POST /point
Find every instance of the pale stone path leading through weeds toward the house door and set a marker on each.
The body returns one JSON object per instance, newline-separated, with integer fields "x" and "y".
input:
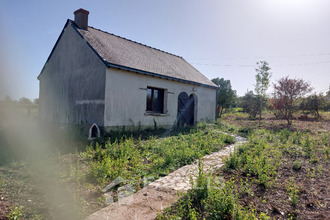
{"x": 160, "y": 194}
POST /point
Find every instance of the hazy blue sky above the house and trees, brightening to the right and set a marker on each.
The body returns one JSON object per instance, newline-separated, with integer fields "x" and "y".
{"x": 221, "y": 38}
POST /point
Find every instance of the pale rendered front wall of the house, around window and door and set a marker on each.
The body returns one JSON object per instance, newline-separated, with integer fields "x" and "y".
{"x": 126, "y": 98}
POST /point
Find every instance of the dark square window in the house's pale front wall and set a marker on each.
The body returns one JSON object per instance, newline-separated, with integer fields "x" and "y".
{"x": 155, "y": 100}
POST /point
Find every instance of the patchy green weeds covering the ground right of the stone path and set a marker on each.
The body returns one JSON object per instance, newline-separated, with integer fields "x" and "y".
{"x": 254, "y": 168}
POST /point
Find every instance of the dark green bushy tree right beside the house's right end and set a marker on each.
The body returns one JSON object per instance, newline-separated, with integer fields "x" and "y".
{"x": 226, "y": 95}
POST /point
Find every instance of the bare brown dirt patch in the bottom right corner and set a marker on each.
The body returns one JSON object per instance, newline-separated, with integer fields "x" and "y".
{"x": 314, "y": 193}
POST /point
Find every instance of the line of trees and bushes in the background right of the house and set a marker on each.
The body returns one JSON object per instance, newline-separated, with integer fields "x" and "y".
{"x": 289, "y": 97}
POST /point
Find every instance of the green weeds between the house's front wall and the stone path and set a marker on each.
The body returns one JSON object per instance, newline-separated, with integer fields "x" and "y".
{"x": 133, "y": 159}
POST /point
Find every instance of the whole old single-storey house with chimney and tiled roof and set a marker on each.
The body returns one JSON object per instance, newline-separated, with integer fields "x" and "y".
{"x": 94, "y": 77}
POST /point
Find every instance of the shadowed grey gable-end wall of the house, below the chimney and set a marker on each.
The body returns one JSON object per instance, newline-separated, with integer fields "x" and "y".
{"x": 72, "y": 83}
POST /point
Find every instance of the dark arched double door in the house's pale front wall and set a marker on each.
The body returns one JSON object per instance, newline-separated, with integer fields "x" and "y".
{"x": 186, "y": 109}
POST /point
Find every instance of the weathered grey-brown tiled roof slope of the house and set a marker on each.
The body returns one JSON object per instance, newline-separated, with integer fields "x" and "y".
{"x": 122, "y": 52}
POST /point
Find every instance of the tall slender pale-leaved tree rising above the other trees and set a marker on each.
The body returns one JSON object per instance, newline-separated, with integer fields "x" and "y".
{"x": 262, "y": 84}
